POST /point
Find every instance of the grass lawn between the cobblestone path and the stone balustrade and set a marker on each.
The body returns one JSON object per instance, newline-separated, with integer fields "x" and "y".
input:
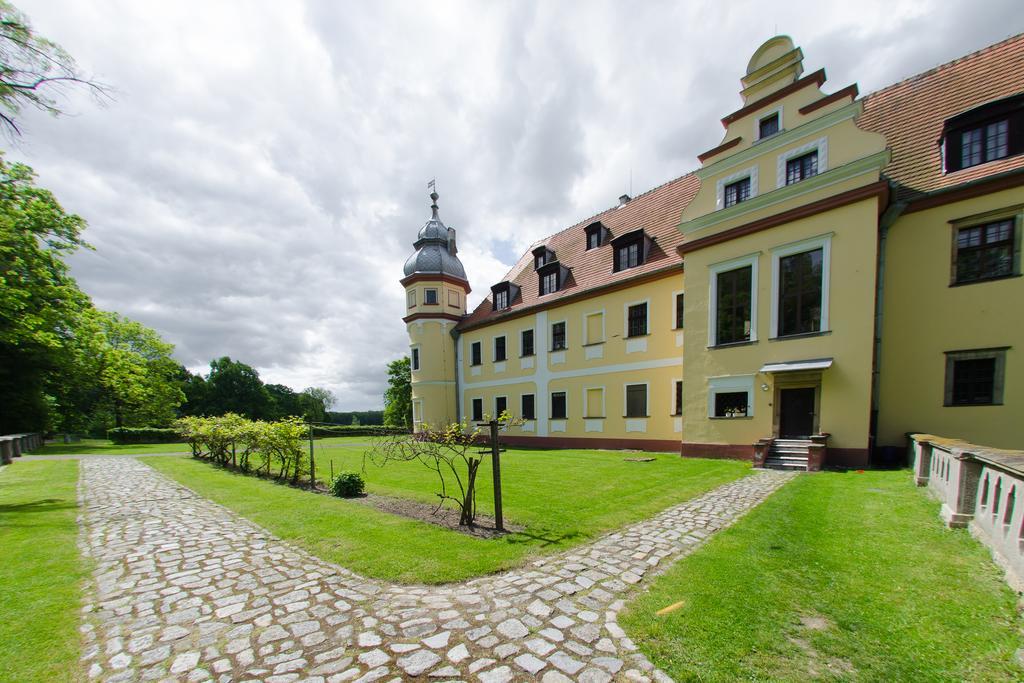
{"x": 887, "y": 592}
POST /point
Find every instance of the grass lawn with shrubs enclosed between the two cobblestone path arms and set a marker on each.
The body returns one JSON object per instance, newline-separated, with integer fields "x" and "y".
{"x": 563, "y": 498}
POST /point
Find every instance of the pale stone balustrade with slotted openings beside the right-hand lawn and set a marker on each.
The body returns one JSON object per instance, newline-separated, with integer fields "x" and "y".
{"x": 982, "y": 489}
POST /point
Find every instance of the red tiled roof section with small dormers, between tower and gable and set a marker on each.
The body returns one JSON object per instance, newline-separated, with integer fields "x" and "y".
{"x": 657, "y": 212}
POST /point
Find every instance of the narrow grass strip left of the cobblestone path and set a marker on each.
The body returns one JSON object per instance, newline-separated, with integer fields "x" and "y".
{"x": 40, "y": 572}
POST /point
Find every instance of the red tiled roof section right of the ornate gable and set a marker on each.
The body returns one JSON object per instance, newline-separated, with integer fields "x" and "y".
{"x": 911, "y": 115}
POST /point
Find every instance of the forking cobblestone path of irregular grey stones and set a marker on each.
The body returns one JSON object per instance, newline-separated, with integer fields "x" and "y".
{"x": 186, "y": 590}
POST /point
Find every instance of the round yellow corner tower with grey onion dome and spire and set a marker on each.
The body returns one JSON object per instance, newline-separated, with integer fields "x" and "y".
{"x": 436, "y": 302}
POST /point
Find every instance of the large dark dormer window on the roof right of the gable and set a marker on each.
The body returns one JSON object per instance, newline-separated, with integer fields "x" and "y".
{"x": 988, "y": 134}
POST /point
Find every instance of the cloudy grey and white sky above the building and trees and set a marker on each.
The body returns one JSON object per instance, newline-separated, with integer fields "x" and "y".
{"x": 257, "y": 185}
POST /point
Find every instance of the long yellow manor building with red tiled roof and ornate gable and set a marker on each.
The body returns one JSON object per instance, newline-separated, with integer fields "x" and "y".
{"x": 852, "y": 273}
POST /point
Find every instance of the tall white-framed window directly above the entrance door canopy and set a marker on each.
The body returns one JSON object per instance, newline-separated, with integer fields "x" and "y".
{"x": 800, "y": 278}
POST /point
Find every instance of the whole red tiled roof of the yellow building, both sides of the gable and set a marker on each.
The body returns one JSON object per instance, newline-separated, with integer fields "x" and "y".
{"x": 911, "y": 114}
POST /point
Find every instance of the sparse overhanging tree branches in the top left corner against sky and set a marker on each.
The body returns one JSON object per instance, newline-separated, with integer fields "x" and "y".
{"x": 33, "y": 70}
